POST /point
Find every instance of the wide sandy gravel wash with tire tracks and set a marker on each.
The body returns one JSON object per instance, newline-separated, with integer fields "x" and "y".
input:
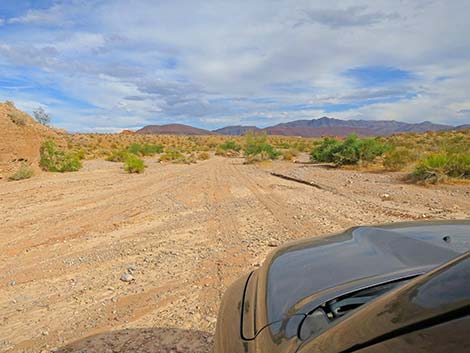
{"x": 182, "y": 232}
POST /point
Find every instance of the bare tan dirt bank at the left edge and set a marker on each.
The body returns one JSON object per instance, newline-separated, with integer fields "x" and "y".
{"x": 20, "y": 139}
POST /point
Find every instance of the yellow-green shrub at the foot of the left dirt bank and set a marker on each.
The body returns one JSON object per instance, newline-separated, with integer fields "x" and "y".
{"x": 54, "y": 159}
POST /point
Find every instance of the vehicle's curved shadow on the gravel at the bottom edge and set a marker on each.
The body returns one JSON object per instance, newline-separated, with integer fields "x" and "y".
{"x": 145, "y": 340}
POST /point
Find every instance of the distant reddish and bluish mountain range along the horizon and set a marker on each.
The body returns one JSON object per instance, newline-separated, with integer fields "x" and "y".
{"x": 309, "y": 128}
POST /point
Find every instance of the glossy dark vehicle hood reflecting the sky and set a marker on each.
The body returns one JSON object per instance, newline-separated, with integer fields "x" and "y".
{"x": 297, "y": 277}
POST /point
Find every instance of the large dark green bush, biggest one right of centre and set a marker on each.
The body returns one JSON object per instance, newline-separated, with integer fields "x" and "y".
{"x": 350, "y": 151}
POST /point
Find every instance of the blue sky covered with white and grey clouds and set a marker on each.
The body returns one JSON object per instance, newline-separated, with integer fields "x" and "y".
{"x": 106, "y": 65}
